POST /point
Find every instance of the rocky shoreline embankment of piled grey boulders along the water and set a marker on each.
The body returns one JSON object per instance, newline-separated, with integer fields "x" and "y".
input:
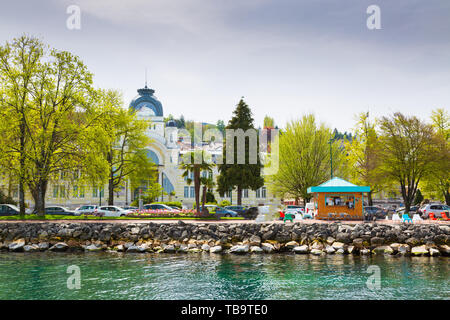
{"x": 234, "y": 238}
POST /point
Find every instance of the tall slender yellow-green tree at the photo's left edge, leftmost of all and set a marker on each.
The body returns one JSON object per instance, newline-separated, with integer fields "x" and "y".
{"x": 20, "y": 61}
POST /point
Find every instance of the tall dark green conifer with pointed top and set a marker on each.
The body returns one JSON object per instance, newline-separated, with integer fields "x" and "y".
{"x": 233, "y": 174}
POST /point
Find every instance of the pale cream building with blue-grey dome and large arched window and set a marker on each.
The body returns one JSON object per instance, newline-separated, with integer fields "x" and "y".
{"x": 168, "y": 144}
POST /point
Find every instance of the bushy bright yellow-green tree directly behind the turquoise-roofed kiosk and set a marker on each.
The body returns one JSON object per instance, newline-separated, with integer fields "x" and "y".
{"x": 304, "y": 158}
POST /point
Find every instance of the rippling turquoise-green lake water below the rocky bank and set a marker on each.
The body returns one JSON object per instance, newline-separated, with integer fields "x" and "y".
{"x": 205, "y": 276}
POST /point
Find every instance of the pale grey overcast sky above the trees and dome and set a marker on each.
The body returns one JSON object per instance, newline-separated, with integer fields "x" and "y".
{"x": 286, "y": 57}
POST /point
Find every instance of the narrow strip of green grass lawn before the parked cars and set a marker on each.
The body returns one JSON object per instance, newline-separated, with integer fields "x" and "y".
{"x": 31, "y": 217}
